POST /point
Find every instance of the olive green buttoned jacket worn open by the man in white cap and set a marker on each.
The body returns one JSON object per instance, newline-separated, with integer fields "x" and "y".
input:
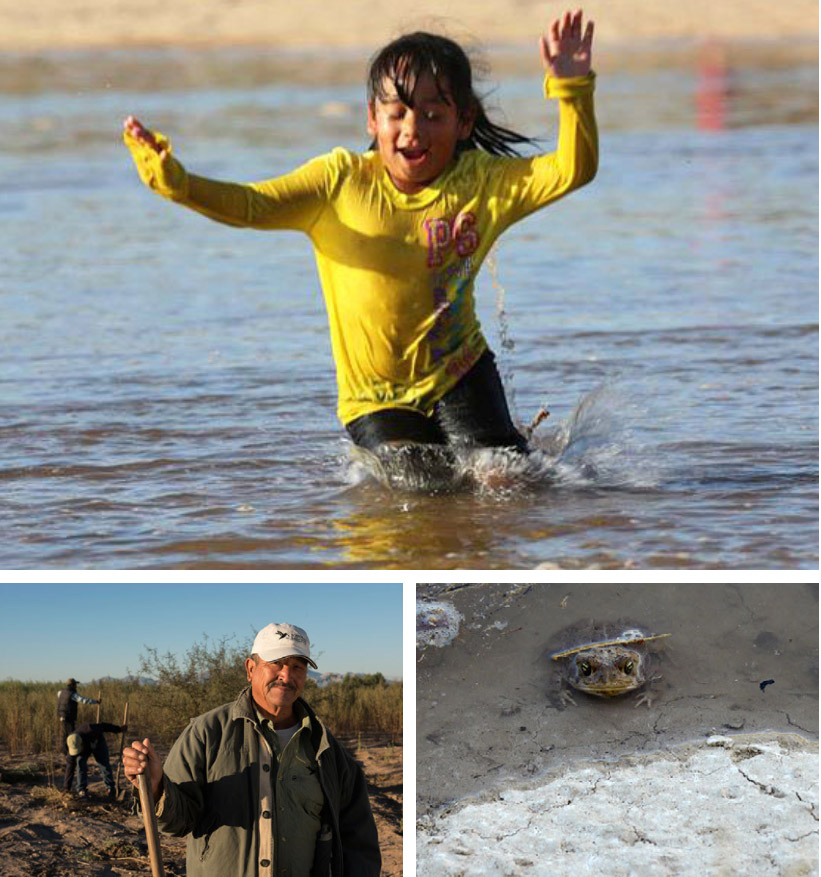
{"x": 211, "y": 792}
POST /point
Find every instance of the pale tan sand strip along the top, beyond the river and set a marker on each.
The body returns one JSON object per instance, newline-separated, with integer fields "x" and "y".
{"x": 368, "y": 23}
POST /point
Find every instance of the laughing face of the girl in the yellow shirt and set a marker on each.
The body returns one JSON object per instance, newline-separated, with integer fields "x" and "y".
{"x": 416, "y": 143}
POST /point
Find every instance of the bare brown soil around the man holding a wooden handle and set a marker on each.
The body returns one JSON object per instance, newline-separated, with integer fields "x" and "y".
{"x": 45, "y": 834}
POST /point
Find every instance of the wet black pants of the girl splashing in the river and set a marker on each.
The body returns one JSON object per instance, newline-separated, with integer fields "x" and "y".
{"x": 473, "y": 414}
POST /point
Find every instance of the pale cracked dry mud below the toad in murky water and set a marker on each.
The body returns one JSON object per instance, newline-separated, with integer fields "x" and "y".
{"x": 742, "y": 805}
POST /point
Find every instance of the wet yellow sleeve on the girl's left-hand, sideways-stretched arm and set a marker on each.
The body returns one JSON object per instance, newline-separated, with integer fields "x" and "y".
{"x": 292, "y": 201}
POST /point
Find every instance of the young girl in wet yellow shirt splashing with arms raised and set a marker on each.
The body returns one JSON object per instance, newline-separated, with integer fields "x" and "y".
{"x": 401, "y": 230}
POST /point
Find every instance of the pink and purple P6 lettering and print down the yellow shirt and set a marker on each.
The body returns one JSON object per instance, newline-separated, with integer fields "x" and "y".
{"x": 450, "y": 284}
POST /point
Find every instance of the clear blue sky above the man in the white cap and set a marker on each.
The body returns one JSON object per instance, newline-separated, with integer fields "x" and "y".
{"x": 53, "y": 631}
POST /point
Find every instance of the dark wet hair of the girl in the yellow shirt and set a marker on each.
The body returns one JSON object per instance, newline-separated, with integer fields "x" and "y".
{"x": 407, "y": 58}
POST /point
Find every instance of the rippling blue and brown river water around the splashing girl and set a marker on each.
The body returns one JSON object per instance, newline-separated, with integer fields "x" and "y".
{"x": 166, "y": 386}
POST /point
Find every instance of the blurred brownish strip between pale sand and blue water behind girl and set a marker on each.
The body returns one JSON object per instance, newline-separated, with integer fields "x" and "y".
{"x": 191, "y": 66}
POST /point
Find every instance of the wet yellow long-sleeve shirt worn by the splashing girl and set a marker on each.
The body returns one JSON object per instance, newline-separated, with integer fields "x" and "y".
{"x": 397, "y": 270}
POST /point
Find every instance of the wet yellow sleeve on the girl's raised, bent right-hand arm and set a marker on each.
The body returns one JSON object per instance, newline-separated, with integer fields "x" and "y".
{"x": 527, "y": 184}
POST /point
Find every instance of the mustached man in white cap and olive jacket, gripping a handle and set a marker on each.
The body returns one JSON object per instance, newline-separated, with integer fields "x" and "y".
{"x": 260, "y": 786}
